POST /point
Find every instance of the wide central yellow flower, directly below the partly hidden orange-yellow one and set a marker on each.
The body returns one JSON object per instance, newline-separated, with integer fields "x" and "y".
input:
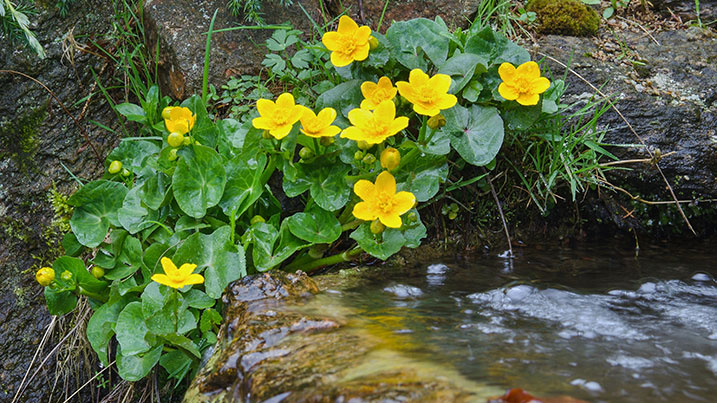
{"x": 374, "y": 127}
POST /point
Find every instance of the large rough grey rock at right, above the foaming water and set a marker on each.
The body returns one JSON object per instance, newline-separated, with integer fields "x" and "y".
{"x": 676, "y": 111}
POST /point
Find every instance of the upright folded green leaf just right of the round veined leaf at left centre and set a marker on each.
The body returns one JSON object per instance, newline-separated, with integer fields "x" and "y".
{"x": 243, "y": 183}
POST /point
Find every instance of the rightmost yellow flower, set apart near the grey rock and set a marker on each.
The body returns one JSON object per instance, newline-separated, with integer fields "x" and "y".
{"x": 523, "y": 84}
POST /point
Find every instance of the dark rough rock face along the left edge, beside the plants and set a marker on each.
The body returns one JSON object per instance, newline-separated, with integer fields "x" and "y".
{"x": 36, "y": 139}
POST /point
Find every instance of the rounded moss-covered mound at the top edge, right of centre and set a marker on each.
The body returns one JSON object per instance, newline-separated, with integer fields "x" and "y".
{"x": 564, "y": 17}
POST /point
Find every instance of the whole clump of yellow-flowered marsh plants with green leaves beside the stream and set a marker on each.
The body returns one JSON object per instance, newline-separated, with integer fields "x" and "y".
{"x": 368, "y": 128}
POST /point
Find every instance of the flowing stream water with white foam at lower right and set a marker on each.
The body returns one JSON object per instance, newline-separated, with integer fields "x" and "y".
{"x": 599, "y": 324}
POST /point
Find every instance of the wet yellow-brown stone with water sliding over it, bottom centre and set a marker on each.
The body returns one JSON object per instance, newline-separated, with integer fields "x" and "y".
{"x": 281, "y": 341}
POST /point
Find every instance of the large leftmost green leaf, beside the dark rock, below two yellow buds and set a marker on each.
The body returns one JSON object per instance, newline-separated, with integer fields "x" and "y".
{"x": 96, "y": 205}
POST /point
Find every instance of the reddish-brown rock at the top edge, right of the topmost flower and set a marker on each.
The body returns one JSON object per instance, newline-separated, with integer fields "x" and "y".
{"x": 456, "y": 13}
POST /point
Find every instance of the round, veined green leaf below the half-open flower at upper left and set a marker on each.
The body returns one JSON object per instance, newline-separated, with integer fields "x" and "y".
{"x": 199, "y": 180}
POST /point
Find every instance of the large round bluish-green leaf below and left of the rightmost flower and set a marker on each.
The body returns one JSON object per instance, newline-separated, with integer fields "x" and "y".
{"x": 476, "y": 133}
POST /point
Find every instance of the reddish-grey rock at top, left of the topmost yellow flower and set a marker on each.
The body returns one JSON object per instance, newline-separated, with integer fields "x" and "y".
{"x": 179, "y": 27}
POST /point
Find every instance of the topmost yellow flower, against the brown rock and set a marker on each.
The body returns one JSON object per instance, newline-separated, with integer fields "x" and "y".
{"x": 348, "y": 43}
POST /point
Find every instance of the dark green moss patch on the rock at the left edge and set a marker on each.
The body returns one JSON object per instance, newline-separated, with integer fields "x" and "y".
{"x": 18, "y": 138}
